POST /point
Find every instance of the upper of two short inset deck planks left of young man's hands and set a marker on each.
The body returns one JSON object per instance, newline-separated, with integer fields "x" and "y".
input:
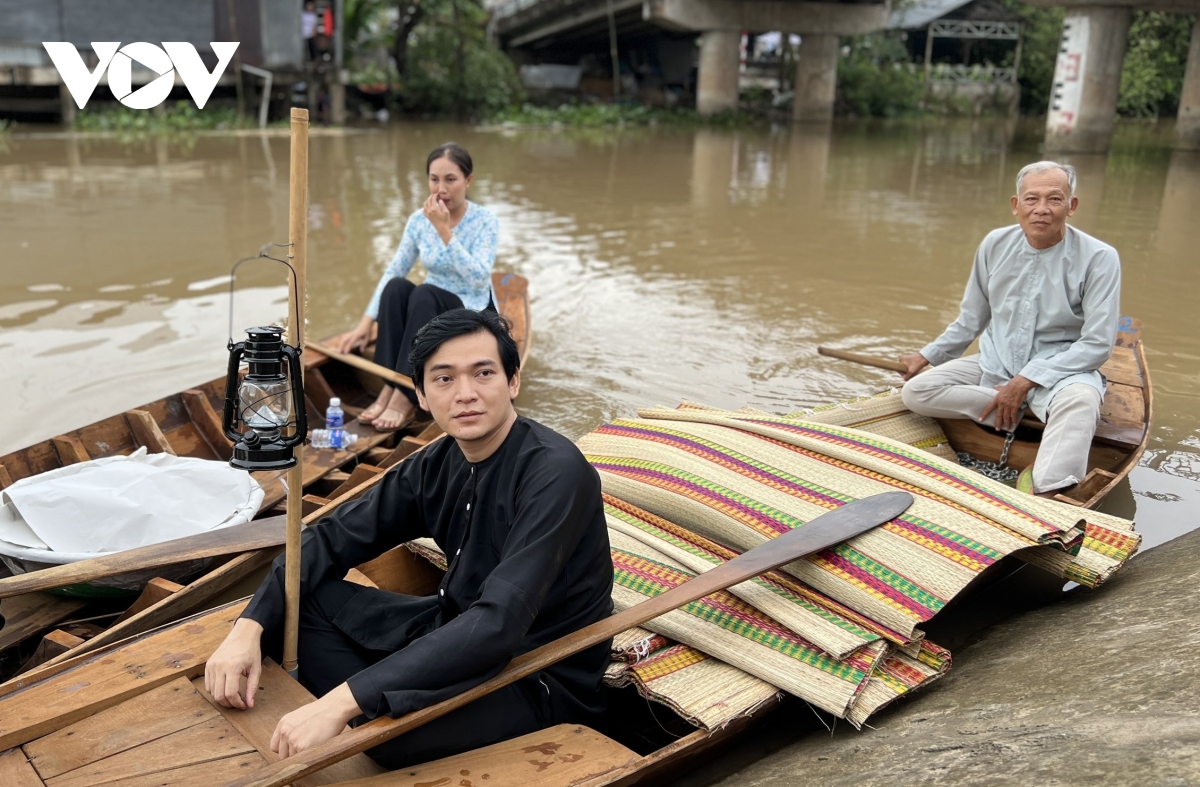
{"x": 158, "y": 713}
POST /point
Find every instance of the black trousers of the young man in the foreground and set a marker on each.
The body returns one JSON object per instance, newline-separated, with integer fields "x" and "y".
{"x": 328, "y": 657}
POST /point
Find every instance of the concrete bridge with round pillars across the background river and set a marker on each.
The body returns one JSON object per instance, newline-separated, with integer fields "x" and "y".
{"x": 1088, "y": 76}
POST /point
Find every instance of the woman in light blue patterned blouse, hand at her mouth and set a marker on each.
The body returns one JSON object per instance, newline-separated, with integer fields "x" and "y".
{"x": 455, "y": 239}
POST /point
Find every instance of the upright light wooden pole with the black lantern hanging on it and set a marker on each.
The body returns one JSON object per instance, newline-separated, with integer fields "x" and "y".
{"x": 298, "y": 237}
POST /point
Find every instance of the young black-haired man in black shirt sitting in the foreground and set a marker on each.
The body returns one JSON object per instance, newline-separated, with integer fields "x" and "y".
{"x": 518, "y": 512}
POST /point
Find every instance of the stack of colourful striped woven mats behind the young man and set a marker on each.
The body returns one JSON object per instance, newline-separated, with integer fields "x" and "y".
{"x": 688, "y": 489}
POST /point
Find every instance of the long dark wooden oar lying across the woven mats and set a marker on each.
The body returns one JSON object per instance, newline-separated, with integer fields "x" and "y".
{"x": 819, "y": 534}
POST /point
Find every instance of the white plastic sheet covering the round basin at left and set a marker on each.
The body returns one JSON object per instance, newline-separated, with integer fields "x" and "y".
{"x": 121, "y": 503}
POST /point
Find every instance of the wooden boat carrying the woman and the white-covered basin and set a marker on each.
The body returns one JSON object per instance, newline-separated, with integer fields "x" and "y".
{"x": 188, "y": 424}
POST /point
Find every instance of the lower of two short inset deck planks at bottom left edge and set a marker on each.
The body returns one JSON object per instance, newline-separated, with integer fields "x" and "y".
{"x": 207, "y": 742}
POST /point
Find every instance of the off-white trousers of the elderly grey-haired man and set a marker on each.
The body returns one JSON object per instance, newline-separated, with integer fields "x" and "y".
{"x": 953, "y": 391}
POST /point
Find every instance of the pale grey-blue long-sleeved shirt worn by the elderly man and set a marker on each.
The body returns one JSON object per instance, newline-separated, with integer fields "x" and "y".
{"x": 1047, "y": 315}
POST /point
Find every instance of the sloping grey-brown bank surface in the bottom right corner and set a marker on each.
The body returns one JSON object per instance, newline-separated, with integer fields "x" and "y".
{"x": 1097, "y": 689}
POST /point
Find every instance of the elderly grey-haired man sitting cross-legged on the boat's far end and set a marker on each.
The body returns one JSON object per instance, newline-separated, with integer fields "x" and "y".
{"x": 1046, "y": 297}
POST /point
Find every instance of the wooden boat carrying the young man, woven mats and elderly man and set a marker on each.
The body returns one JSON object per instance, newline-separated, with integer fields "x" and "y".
{"x": 135, "y": 713}
